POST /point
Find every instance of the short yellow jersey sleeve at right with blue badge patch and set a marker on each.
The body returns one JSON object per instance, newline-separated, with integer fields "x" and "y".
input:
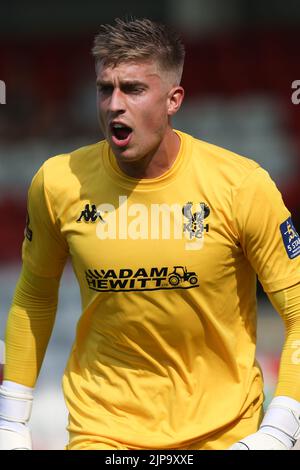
{"x": 265, "y": 231}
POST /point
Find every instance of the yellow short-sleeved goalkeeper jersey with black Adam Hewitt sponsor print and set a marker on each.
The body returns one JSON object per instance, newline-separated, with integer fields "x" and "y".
{"x": 164, "y": 352}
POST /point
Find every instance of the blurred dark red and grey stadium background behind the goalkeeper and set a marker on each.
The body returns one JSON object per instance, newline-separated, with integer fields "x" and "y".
{"x": 242, "y": 57}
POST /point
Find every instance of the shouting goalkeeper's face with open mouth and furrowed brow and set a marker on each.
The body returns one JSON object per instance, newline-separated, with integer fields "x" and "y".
{"x": 135, "y": 101}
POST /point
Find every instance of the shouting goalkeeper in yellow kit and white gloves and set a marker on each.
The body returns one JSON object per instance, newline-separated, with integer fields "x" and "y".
{"x": 164, "y": 354}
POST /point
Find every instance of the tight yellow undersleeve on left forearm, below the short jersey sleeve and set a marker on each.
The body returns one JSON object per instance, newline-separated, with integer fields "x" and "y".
{"x": 29, "y": 326}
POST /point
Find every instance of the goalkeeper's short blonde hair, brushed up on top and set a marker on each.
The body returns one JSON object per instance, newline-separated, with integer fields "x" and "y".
{"x": 140, "y": 39}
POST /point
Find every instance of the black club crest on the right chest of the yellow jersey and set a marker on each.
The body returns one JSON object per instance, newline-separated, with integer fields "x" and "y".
{"x": 195, "y": 225}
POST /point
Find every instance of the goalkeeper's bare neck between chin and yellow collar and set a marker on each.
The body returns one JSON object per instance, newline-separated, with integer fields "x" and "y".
{"x": 156, "y": 163}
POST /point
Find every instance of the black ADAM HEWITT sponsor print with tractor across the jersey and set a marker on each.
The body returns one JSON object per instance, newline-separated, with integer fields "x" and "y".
{"x": 155, "y": 278}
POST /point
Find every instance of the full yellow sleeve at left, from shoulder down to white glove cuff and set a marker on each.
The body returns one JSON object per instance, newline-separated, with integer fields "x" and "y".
{"x": 31, "y": 317}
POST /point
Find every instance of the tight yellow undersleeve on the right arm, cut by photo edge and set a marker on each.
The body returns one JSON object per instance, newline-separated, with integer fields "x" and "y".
{"x": 287, "y": 303}
